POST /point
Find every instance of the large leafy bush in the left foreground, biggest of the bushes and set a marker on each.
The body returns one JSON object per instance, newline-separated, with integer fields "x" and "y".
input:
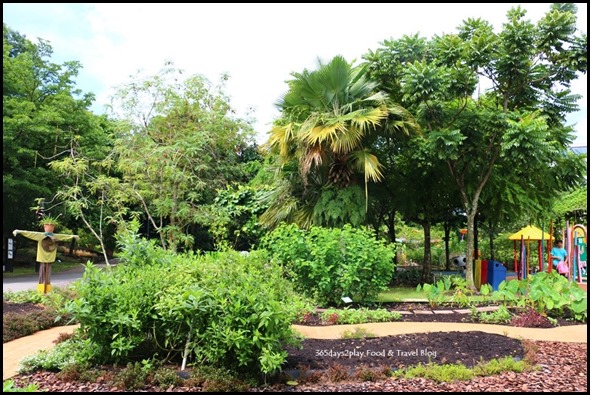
{"x": 225, "y": 308}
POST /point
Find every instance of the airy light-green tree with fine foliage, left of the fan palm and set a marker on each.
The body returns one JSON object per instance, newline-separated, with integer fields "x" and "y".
{"x": 179, "y": 142}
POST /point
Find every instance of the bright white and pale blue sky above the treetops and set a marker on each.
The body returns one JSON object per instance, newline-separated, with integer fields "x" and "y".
{"x": 258, "y": 45}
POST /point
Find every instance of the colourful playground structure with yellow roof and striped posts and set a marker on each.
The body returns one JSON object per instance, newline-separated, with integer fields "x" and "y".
{"x": 575, "y": 243}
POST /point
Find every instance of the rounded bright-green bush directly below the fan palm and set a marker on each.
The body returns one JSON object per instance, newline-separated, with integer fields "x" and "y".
{"x": 329, "y": 264}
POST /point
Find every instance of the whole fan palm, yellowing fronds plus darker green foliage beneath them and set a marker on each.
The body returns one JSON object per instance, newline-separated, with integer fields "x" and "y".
{"x": 329, "y": 118}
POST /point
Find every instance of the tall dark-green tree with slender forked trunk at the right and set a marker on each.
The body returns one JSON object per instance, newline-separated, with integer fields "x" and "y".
{"x": 517, "y": 127}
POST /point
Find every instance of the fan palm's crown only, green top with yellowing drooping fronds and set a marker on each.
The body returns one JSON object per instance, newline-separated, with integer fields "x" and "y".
{"x": 330, "y": 117}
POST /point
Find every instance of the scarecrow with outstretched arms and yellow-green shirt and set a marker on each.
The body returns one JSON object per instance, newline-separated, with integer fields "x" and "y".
{"x": 46, "y": 252}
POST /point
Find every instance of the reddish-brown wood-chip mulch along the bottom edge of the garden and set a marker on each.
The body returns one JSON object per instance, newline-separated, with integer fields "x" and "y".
{"x": 561, "y": 367}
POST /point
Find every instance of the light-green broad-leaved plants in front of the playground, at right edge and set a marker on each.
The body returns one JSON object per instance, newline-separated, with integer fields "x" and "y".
{"x": 546, "y": 293}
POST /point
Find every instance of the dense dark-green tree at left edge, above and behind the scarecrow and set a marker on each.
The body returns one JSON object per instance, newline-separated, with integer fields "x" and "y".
{"x": 42, "y": 113}
